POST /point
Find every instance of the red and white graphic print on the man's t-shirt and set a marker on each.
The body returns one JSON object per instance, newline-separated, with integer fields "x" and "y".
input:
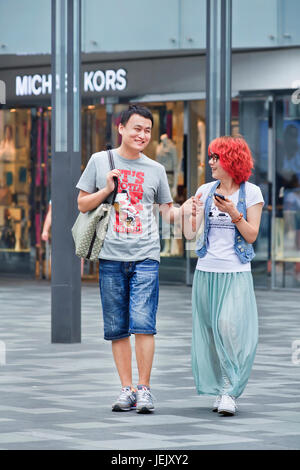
{"x": 128, "y": 202}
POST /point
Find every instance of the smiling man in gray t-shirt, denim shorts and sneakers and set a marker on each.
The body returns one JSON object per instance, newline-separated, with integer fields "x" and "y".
{"x": 129, "y": 258}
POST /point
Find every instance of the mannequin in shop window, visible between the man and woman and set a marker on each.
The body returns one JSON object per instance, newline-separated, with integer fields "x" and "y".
{"x": 166, "y": 154}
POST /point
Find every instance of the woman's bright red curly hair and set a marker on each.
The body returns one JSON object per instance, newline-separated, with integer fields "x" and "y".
{"x": 235, "y": 157}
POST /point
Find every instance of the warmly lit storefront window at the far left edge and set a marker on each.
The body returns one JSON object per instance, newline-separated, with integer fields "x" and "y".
{"x": 15, "y": 128}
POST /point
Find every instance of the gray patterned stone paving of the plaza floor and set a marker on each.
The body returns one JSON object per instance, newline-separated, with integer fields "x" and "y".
{"x": 59, "y": 396}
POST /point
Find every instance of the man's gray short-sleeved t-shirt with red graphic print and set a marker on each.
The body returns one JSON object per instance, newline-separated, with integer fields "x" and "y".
{"x": 132, "y": 233}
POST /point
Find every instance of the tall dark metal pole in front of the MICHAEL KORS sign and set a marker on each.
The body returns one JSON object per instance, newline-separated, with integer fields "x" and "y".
{"x": 66, "y": 166}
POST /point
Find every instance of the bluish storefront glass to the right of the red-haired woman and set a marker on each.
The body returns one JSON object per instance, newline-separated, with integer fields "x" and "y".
{"x": 271, "y": 126}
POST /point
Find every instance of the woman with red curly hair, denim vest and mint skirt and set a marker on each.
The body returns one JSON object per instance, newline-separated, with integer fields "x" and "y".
{"x": 225, "y": 326}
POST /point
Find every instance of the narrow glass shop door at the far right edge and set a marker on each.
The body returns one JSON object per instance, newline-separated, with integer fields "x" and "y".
{"x": 286, "y": 248}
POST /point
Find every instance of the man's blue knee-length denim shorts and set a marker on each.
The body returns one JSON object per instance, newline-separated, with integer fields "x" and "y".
{"x": 129, "y": 297}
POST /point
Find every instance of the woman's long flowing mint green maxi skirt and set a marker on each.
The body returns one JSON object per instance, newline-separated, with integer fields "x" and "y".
{"x": 225, "y": 331}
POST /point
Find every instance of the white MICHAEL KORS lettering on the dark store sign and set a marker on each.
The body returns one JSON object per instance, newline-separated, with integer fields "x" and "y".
{"x": 94, "y": 81}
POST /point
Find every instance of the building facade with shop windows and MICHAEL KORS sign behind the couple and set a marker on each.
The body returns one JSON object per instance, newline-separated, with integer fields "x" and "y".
{"x": 165, "y": 70}
